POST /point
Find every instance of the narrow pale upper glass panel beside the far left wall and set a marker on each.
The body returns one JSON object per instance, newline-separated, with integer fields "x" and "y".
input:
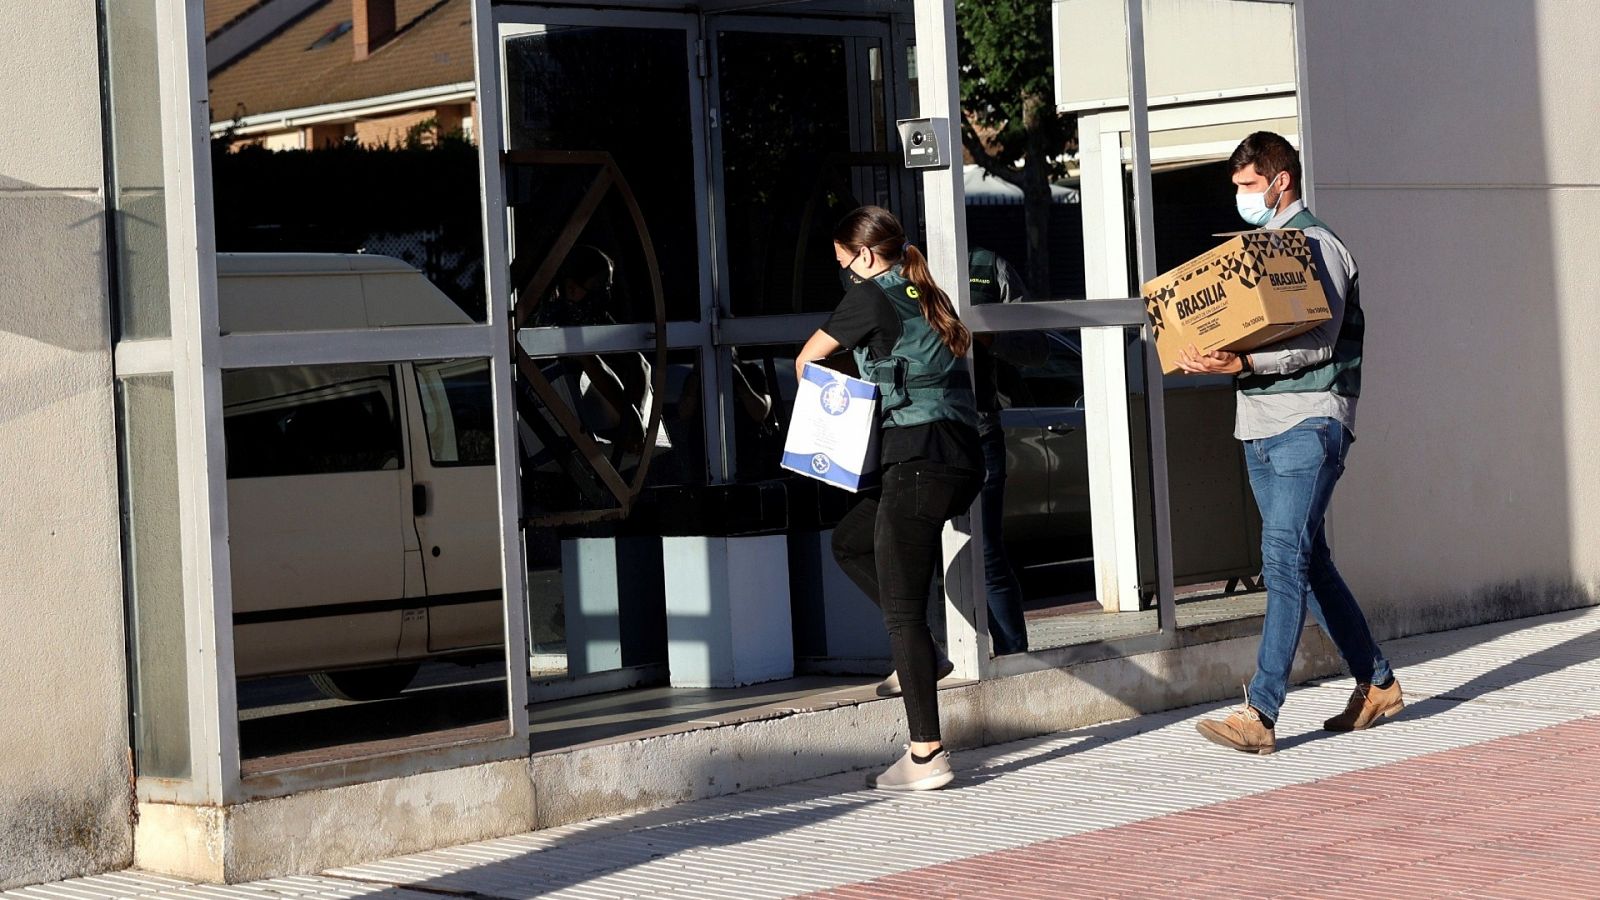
{"x": 138, "y": 198}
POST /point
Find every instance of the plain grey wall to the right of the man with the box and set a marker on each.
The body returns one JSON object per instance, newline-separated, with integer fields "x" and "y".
{"x": 1455, "y": 151}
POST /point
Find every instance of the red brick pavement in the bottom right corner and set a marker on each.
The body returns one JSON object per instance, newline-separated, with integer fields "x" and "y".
{"x": 1506, "y": 819}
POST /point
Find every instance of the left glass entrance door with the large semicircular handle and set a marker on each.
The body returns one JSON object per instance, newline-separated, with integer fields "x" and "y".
{"x": 610, "y": 287}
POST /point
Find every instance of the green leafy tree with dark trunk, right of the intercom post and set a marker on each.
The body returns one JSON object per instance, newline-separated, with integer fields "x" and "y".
{"x": 1009, "y": 110}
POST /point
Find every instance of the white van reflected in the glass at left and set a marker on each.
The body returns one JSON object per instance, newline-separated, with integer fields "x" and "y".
{"x": 364, "y": 518}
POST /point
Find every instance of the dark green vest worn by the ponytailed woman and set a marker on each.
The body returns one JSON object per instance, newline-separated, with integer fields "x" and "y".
{"x": 921, "y": 380}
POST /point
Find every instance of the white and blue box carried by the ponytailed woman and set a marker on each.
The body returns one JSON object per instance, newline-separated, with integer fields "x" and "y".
{"x": 834, "y": 430}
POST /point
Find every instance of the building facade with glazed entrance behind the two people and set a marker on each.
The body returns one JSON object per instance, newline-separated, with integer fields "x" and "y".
{"x": 511, "y": 499}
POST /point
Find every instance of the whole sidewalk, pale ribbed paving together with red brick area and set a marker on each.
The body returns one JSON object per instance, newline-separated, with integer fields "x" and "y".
{"x": 1489, "y": 785}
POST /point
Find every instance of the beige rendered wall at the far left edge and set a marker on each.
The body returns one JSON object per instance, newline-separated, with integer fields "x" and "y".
{"x": 65, "y": 798}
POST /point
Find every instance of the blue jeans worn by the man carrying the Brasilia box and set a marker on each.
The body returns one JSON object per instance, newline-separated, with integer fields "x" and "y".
{"x": 1294, "y": 478}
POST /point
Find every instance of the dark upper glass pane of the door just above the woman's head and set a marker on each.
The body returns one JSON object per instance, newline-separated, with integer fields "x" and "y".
{"x": 785, "y": 115}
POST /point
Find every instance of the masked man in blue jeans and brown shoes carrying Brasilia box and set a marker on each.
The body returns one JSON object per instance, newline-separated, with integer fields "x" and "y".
{"x": 1297, "y": 412}
